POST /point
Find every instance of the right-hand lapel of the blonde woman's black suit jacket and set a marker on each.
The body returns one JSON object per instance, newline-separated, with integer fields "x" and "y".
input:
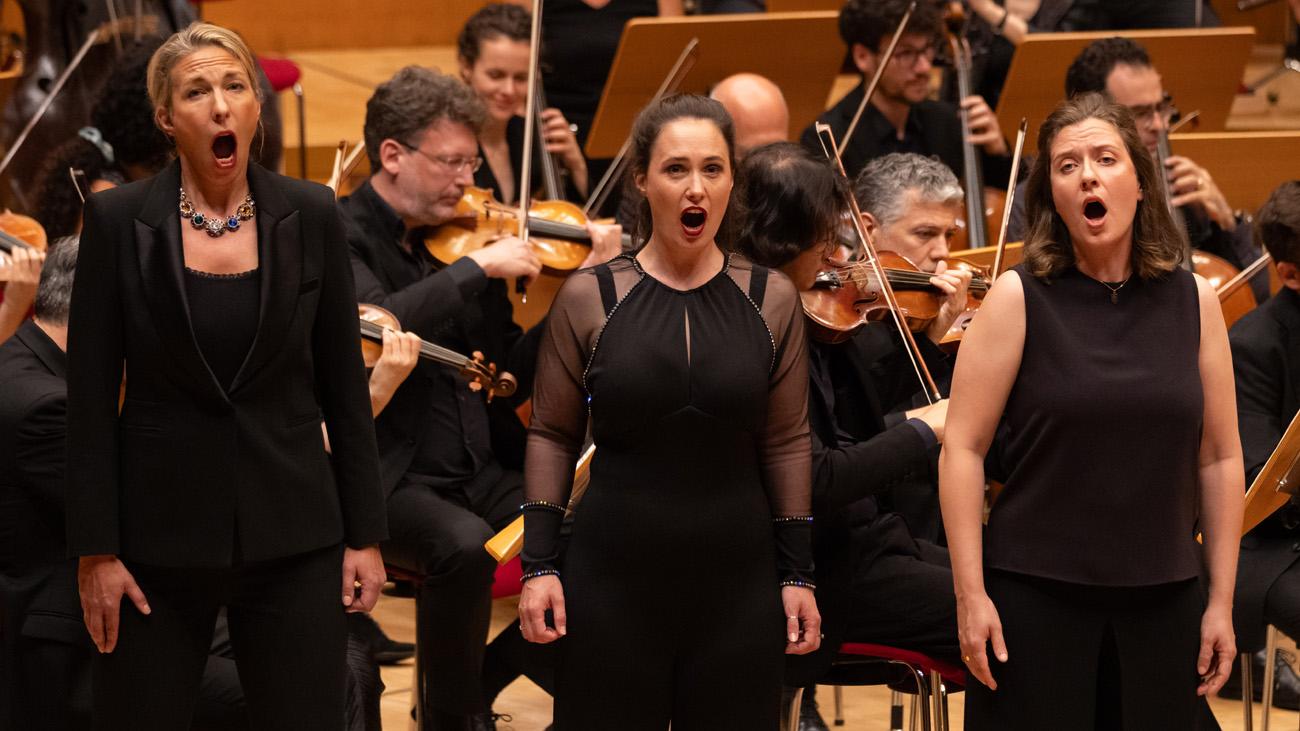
{"x": 280, "y": 256}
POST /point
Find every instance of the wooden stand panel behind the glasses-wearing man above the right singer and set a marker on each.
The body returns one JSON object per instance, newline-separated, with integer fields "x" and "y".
{"x": 1202, "y": 70}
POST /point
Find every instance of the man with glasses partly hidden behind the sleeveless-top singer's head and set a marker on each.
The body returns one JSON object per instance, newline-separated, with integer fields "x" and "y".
{"x": 1123, "y": 68}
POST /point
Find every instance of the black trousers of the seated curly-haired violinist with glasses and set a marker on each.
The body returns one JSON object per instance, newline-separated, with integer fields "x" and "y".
{"x": 440, "y": 533}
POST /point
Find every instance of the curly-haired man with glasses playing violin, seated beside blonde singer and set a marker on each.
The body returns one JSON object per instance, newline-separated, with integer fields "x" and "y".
{"x": 450, "y": 462}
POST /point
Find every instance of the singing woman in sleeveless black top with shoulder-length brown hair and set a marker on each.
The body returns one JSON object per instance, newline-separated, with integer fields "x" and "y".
{"x": 1110, "y": 367}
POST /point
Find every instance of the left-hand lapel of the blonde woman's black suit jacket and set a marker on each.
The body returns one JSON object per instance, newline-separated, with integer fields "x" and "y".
{"x": 162, "y": 258}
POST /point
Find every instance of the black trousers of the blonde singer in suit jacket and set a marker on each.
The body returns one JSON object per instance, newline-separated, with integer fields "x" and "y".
{"x": 288, "y": 630}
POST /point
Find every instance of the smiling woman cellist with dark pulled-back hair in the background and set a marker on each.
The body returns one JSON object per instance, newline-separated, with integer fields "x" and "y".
{"x": 493, "y": 50}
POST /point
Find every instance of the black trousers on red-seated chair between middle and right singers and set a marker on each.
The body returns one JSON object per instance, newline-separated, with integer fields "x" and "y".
{"x": 903, "y": 591}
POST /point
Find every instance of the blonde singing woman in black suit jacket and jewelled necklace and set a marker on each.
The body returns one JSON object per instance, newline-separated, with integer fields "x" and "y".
{"x": 213, "y": 487}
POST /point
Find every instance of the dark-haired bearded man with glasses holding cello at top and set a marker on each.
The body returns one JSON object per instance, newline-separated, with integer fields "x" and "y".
{"x": 902, "y": 118}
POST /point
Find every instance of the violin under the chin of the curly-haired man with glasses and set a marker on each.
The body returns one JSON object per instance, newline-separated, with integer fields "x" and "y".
{"x": 562, "y": 245}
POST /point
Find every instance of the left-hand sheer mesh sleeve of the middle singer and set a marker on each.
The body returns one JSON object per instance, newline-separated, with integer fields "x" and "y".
{"x": 558, "y": 425}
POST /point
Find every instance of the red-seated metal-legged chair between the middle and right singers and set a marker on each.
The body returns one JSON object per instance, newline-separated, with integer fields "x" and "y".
{"x": 860, "y": 664}
